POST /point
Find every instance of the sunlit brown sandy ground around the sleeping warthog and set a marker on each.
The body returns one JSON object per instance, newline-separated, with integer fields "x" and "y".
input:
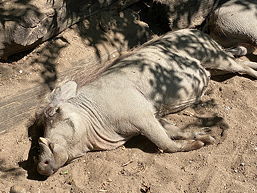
{"x": 229, "y": 109}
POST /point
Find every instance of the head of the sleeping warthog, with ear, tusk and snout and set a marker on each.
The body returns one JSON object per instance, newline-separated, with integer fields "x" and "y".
{"x": 58, "y": 126}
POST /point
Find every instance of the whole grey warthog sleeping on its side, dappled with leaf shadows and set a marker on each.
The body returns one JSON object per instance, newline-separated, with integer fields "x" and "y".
{"x": 131, "y": 98}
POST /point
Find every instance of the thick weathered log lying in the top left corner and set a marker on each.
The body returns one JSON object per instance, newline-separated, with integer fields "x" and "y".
{"x": 24, "y": 25}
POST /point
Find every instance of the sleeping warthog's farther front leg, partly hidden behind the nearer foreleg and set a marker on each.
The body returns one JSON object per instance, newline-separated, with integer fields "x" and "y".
{"x": 175, "y": 133}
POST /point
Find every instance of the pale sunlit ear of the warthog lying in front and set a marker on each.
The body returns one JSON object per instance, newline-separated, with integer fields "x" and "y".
{"x": 64, "y": 92}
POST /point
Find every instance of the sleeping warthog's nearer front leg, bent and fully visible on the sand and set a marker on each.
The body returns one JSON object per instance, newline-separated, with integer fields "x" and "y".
{"x": 150, "y": 127}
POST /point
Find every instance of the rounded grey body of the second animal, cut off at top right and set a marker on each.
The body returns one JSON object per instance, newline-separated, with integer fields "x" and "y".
{"x": 234, "y": 26}
